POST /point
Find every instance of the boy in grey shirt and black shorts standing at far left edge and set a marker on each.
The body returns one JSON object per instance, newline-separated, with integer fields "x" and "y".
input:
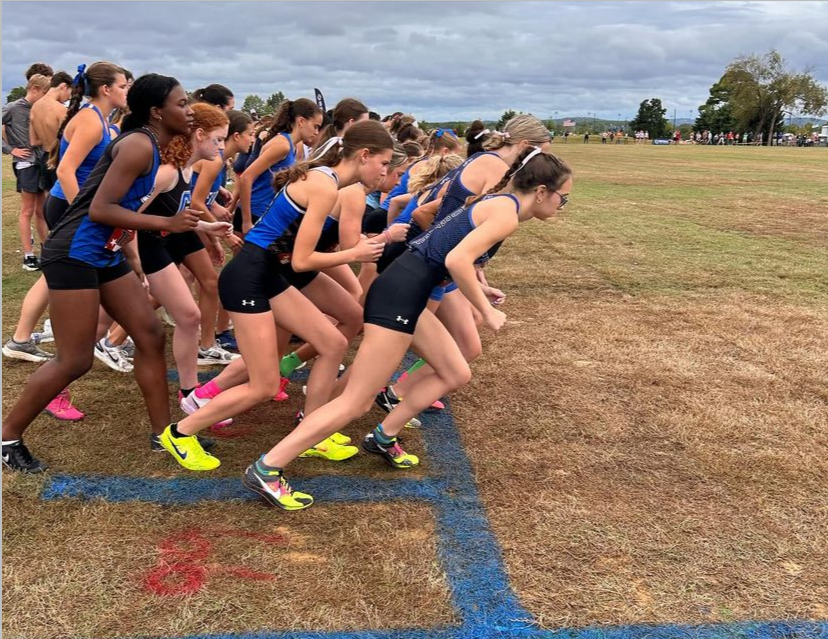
{"x": 26, "y": 169}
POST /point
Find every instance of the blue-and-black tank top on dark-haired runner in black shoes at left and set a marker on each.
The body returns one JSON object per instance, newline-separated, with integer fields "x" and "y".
{"x": 77, "y": 237}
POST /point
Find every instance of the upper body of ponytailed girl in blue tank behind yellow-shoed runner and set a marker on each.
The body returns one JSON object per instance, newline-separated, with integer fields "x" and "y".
{"x": 295, "y": 121}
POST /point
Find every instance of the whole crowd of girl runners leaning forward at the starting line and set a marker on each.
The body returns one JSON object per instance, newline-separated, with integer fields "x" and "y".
{"x": 140, "y": 217}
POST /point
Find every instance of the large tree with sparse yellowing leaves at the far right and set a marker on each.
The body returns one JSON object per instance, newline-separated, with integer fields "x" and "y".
{"x": 762, "y": 90}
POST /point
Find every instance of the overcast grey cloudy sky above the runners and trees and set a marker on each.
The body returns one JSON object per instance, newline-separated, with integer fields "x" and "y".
{"x": 437, "y": 60}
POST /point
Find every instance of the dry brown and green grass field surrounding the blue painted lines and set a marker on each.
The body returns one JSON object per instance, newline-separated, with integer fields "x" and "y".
{"x": 649, "y": 432}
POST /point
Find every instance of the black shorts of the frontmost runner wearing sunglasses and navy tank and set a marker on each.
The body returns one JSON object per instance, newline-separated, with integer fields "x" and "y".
{"x": 398, "y": 297}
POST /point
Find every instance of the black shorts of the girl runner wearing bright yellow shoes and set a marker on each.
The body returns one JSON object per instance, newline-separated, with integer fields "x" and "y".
{"x": 250, "y": 280}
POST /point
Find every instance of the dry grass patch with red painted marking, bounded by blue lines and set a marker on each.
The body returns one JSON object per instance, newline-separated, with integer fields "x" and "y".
{"x": 85, "y": 569}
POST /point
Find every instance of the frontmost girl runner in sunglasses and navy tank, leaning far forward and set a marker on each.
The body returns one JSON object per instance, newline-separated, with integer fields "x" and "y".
{"x": 536, "y": 186}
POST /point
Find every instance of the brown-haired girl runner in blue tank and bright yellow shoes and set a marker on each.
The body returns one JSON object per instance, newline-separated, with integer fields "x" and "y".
{"x": 257, "y": 295}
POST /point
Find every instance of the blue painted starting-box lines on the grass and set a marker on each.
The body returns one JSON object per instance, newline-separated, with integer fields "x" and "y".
{"x": 470, "y": 555}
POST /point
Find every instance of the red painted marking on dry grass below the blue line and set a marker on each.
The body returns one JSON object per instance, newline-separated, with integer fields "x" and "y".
{"x": 181, "y": 569}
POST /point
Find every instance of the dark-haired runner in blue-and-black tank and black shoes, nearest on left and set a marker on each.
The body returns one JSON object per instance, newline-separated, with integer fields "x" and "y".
{"x": 84, "y": 265}
